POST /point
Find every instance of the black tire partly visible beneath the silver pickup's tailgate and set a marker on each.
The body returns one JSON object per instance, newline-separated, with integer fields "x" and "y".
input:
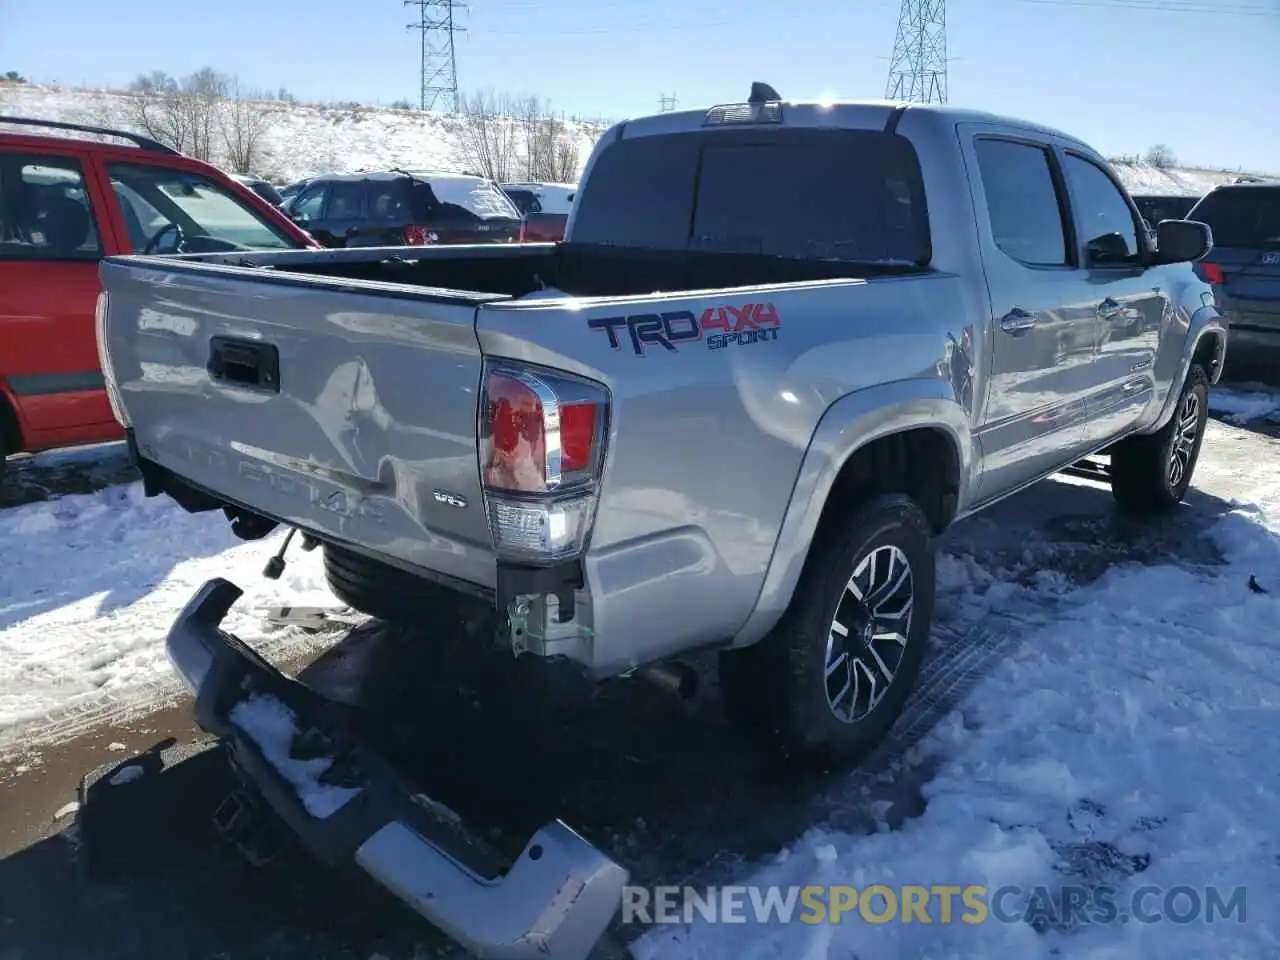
{"x": 391, "y": 595}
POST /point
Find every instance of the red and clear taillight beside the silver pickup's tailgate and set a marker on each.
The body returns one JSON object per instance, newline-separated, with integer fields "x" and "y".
{"x": 542, "y": 447}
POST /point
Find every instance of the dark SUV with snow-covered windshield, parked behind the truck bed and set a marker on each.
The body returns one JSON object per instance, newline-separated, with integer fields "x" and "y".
{"x": 403, "y": 208}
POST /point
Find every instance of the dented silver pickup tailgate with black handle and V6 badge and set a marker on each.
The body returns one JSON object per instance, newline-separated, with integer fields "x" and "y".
{"x": 340, "y": 410}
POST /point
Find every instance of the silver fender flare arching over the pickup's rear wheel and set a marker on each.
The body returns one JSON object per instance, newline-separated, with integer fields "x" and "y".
{"x": 847, "y": 427}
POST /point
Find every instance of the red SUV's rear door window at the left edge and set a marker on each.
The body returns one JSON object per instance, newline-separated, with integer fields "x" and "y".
{"x": 44, "y": 211}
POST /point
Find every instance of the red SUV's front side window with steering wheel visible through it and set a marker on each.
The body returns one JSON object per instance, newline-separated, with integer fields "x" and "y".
{"x": 175, "y": 212}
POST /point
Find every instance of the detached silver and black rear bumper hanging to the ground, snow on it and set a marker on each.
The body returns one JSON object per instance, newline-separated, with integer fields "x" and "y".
{"x": 350, "y": 808}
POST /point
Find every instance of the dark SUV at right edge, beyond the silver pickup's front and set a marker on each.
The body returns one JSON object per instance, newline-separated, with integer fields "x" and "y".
{"x": 1245, "y": 266}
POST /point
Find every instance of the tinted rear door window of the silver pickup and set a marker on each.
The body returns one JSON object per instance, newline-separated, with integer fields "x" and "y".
{"x": 1023, "y": 203}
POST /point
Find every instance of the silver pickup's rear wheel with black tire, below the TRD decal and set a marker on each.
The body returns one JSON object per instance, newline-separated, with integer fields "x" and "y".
{"x": 780, "y": 688}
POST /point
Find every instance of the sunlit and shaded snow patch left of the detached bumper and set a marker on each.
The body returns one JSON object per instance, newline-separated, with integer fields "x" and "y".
{"x": 92, "y": 584}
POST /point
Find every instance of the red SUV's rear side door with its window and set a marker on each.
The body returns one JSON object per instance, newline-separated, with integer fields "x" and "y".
{"x": 53, "y": 234}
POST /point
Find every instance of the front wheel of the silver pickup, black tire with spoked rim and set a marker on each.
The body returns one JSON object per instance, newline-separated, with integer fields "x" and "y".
{"x": 1144, "y": 479}
